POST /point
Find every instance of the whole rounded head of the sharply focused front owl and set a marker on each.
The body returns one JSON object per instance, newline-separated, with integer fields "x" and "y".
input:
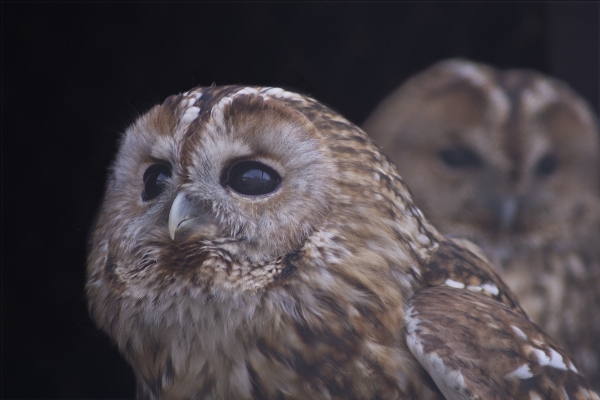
{"x": 213, "y": 192}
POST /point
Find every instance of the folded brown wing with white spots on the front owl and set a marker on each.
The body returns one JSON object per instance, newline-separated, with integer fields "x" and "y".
{"x": 478, "y": 344}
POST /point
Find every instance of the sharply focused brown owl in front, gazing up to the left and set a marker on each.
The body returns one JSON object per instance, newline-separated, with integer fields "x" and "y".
{"x": 254, "y": 244}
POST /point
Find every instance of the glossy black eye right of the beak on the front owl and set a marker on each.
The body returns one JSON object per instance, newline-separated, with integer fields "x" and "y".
{"x": 252, "y": 178}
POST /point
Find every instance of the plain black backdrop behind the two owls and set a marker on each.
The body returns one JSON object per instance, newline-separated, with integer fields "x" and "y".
{"x": 74, "y": 76}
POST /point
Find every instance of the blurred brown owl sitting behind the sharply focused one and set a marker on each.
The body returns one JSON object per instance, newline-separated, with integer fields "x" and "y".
{"x": 510, "y": 160}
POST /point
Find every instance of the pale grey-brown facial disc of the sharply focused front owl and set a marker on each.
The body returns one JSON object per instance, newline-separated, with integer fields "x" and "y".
{"x": 224, "y": 176}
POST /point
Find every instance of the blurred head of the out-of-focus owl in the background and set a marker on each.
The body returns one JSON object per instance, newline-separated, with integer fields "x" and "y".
{"x": 498, "y": 149}
